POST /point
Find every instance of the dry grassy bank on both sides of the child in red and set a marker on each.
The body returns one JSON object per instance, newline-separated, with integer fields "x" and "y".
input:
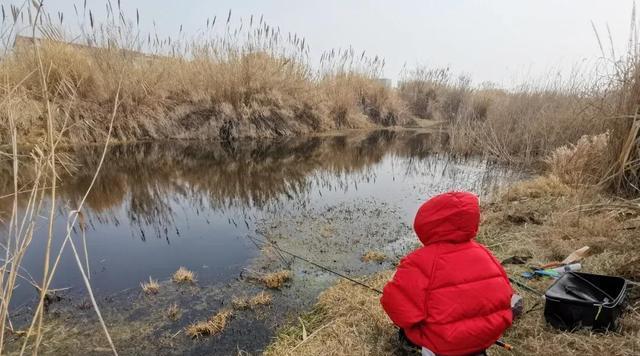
{"x": 348, "y": 319}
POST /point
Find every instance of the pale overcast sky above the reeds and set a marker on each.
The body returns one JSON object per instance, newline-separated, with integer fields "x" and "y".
{"x": 500, "y": 41}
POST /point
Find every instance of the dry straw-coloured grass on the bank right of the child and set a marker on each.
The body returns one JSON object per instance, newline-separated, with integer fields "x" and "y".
{"x": 567, "y": 220}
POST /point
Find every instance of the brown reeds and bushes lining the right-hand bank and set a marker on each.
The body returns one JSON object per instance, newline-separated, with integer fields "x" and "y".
{"x": 586, "y": 129}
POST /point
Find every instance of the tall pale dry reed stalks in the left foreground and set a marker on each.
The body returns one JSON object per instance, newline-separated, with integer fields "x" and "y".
{"x": 46, "y": 159}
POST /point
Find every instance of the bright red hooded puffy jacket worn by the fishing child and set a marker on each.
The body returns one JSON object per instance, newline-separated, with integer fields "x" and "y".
{"x": 451, "y": 295}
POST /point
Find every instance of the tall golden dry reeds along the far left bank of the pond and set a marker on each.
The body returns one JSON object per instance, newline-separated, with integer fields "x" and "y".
{"x": 249, "y": 80}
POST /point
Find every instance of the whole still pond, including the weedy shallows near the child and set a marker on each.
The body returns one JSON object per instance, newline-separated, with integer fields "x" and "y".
{"x": 158, "y": 206}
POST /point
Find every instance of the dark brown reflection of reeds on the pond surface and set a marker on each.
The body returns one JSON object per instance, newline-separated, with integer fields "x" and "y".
{"x": 150, "y": 180}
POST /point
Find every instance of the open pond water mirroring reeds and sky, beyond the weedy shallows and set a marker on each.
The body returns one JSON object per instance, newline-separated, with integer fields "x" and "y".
{"x": 156, "y": 206}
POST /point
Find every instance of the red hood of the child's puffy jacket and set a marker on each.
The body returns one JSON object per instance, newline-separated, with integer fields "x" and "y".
{"x": 450, "y": 217}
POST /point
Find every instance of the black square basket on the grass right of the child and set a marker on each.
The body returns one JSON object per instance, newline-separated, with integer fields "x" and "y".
{"x": 583, "y": 300}
